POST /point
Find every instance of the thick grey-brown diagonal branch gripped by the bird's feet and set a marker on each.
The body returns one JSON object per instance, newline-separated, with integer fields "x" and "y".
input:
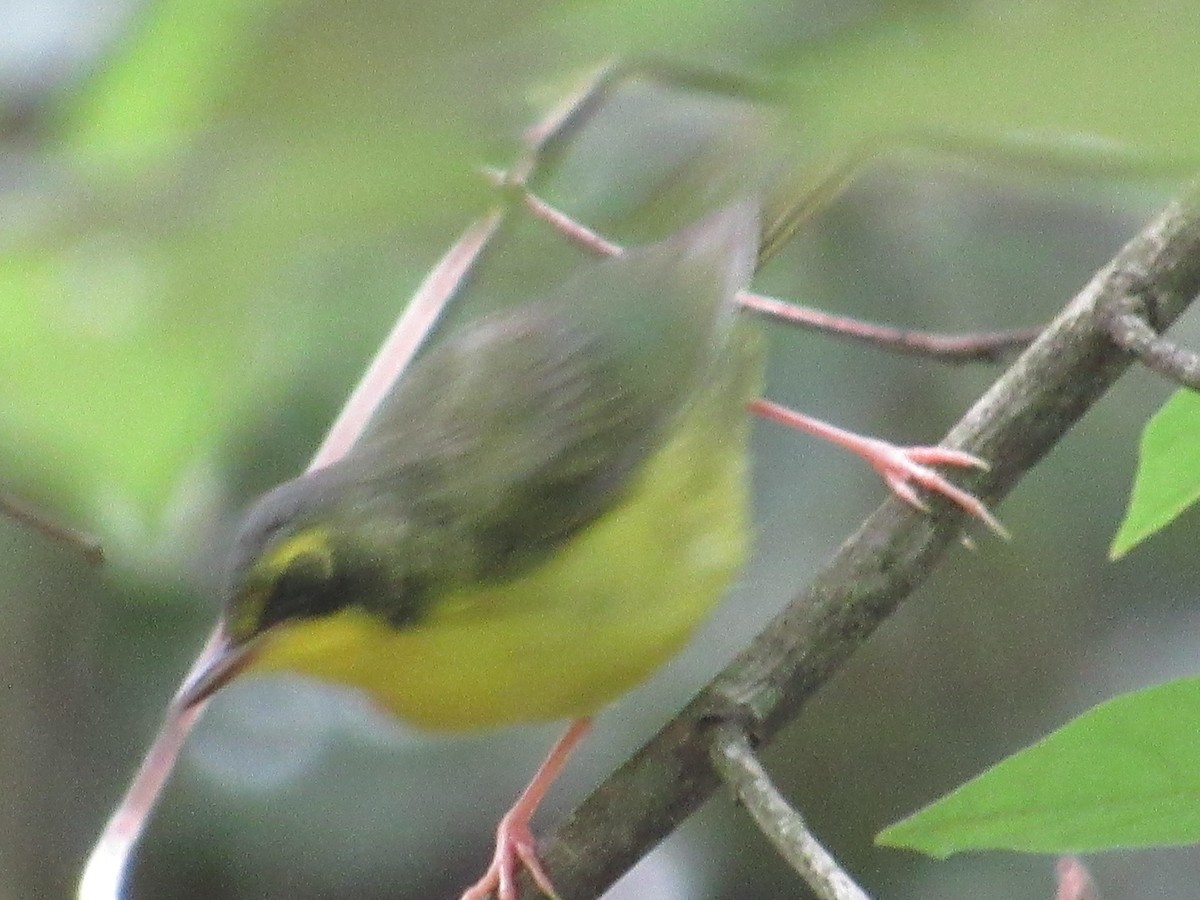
{"x": 1033, "y": 406}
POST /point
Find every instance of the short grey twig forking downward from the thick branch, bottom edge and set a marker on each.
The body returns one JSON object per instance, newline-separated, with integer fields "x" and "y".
{"x": 784, "y": 827}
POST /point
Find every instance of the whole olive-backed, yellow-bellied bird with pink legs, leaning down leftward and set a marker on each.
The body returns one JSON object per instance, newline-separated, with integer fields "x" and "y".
{"x": 544, "y": 509}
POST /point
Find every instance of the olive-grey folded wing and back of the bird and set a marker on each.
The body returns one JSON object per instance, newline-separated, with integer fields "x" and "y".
{"x": 526, "y": 427}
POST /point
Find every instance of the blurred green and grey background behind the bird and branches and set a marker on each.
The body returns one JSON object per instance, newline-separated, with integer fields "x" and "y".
{"x": 213, "y": 211}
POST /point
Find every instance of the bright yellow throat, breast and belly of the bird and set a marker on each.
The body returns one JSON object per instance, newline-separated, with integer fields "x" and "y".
{"x": 575, "y": 632}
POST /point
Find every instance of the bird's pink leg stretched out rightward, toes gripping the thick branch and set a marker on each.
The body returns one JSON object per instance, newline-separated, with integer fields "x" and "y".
{"x": 903, "y": 469}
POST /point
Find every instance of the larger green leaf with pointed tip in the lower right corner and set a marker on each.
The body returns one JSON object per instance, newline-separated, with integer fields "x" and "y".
{"x": 1125, "y": 775}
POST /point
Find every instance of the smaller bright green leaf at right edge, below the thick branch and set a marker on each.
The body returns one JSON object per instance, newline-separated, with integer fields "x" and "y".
{"x": 1168, "y": 481}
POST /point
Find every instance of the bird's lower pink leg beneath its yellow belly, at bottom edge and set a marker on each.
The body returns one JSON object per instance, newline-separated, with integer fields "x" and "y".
{"x": 515, "y": 845}
